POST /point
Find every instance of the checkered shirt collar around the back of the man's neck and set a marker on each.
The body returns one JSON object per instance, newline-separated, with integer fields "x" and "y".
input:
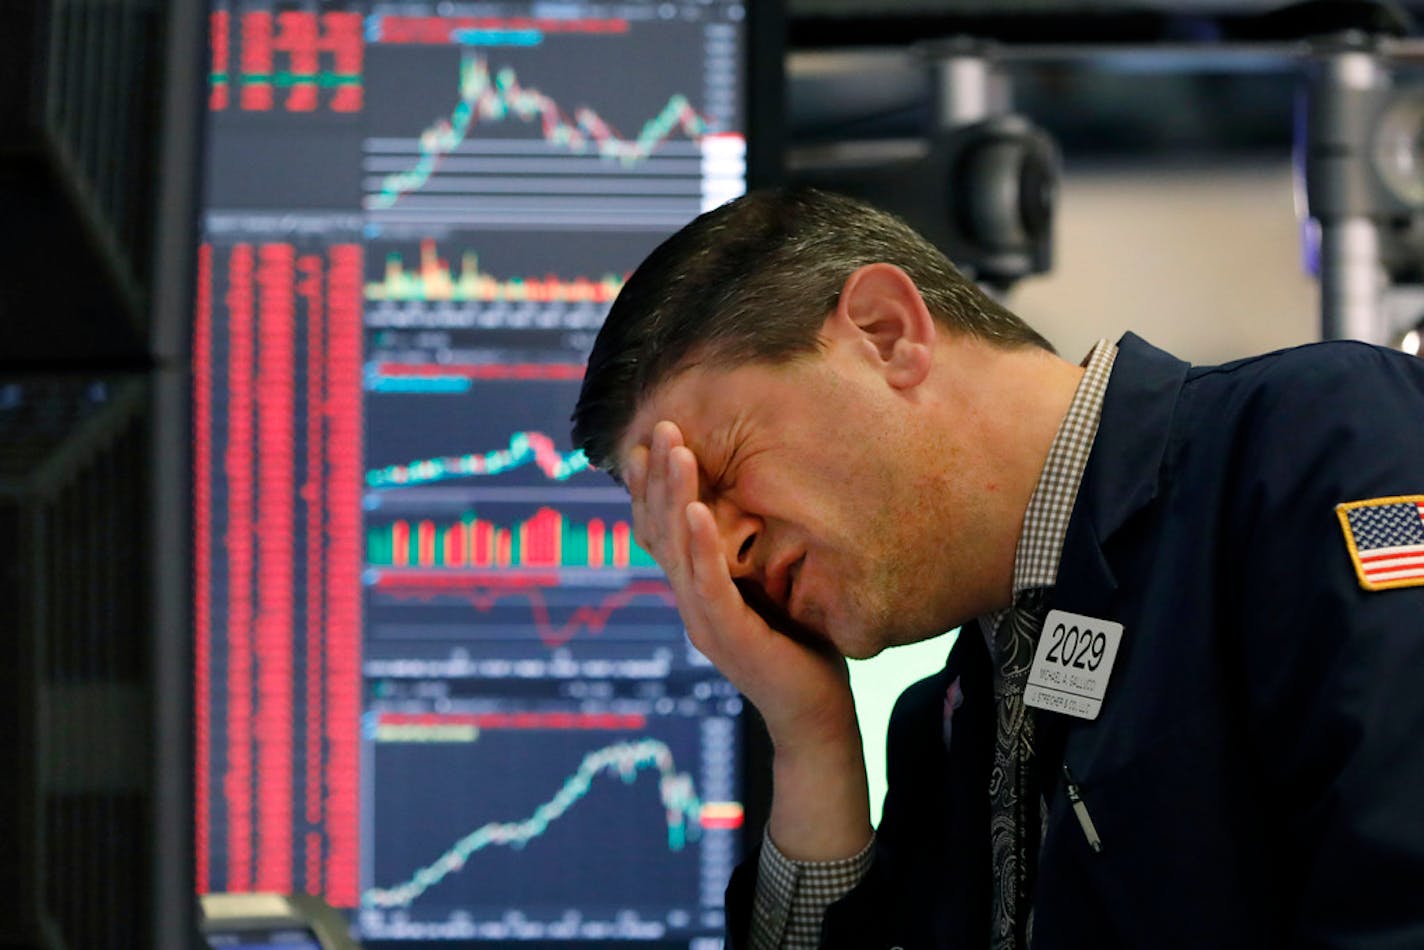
{"x": 1046, "y": 522}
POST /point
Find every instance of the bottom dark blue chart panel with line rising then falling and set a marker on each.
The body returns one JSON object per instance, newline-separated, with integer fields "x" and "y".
{"x": 609, "y": 831}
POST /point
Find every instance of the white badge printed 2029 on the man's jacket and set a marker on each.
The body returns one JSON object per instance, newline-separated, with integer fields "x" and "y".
{"x": 1073, "y": 664}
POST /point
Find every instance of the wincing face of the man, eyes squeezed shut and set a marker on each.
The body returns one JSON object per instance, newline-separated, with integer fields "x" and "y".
{"x": 831, "y": 495}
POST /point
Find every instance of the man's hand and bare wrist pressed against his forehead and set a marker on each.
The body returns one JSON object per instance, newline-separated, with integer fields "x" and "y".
{"x": 802, "y": 690}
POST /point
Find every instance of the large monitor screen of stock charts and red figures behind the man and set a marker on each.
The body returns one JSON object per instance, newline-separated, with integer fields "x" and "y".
{"x": 438, "y": 683}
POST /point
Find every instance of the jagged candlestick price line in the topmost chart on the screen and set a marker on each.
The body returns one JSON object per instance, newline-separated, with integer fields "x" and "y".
{"x": 501, "y": 96}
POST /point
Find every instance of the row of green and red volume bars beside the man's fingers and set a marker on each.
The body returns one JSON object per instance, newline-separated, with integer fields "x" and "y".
{"x": 545, "y": 541}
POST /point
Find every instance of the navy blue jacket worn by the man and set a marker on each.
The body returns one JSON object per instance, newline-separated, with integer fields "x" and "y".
{"x": 1257, "y": 774}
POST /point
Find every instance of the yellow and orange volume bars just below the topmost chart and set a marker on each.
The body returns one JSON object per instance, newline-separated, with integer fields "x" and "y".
{"x": 434, "y": 281}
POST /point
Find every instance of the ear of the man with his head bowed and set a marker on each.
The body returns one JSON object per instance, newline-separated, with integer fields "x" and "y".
{"x": 884, "y": 315}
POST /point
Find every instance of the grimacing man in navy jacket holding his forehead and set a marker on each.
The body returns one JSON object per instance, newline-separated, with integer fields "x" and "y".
{"x": 1187, "y": 707}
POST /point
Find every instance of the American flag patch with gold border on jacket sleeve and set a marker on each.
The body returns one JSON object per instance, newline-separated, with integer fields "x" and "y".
{"x": 1386, "y": 539}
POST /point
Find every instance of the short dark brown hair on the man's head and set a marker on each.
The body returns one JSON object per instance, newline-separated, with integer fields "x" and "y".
{"x": 755, "y": 281}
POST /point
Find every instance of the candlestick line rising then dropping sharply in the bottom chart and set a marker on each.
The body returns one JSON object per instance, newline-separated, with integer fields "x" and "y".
{"x": 624, "y": 760}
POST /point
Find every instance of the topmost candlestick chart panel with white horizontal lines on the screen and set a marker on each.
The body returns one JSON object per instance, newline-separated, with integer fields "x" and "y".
{"x": 627, "y": 156}
